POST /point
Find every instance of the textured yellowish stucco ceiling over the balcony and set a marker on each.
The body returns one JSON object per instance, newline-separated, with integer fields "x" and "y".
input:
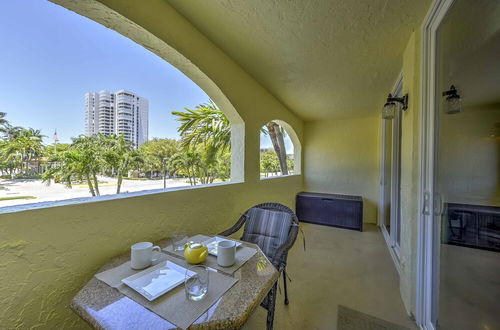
{"x": 321, "y": 58}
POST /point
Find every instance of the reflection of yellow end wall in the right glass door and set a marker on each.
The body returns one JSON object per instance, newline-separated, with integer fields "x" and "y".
{"x": 469, "y": 157}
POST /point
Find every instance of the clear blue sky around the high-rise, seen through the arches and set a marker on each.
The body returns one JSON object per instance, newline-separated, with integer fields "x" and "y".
{"x": 50, "y": 57}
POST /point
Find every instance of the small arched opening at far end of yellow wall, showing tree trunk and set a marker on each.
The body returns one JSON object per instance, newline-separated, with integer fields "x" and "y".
{"x": 280, "y": 150}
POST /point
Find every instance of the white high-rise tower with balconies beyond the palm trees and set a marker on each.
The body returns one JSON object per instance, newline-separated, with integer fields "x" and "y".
{"x": 117, "y": 113}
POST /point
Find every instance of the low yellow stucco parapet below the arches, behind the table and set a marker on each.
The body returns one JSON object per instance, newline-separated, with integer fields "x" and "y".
{"x": 47, "y": 255}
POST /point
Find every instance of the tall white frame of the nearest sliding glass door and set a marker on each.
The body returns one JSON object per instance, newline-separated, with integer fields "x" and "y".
{"x": 427, "y": 256}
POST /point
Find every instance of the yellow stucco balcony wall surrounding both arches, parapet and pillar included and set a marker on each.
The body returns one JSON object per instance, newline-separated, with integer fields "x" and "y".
{"x": 47, "y": 255}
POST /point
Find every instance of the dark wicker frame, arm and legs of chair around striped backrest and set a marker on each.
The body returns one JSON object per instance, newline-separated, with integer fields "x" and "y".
{"x": 279, "y": 258}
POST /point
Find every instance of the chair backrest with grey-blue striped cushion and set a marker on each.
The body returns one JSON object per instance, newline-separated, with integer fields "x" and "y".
{"x": 268, "y": 225}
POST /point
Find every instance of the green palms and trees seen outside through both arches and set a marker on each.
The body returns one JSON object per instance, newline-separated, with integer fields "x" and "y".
{"x": 202, "y": 154}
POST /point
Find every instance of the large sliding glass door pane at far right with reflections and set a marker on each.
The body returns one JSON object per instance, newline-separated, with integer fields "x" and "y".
{"x": 466, "y": 249}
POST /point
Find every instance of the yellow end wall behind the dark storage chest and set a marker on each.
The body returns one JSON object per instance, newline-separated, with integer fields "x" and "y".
{"x": 343, "y": 157}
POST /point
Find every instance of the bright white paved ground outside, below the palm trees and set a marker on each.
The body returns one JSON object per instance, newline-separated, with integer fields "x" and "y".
{"x": 57, "y": 191}
